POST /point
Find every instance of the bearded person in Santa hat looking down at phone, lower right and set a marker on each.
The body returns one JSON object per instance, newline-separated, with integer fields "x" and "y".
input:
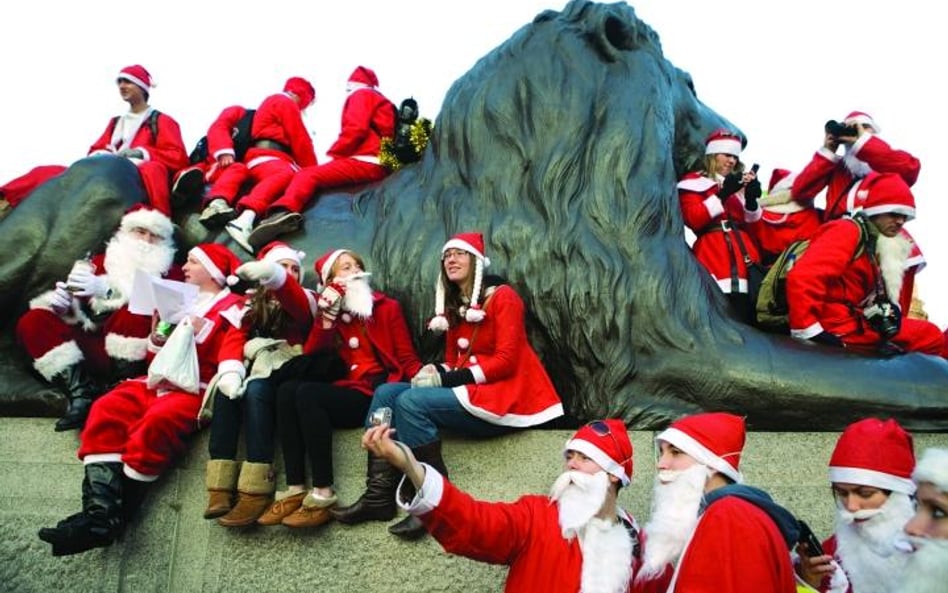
{"x": 870, "y": 473}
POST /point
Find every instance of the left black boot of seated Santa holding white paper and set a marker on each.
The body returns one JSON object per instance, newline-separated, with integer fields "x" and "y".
{"x": 101, "y": 518}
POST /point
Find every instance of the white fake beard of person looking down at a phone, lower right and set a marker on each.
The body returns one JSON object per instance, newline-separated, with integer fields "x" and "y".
{"x": 867, "y": 549}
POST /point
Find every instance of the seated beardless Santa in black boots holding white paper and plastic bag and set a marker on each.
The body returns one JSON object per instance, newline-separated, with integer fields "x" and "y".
{"x": 135, "y": 431}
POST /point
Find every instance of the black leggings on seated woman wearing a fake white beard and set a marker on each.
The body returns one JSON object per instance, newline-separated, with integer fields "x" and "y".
{"x": 307, "y": 413}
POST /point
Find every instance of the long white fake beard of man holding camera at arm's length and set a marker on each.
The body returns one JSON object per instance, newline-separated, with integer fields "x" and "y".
{"x": 606, "y": 544}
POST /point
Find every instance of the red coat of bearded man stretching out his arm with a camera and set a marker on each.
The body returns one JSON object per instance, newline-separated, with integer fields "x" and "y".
{"x": 524, "y": 535}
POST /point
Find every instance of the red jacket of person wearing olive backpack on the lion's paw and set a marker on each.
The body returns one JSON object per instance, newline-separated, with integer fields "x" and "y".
{"x": 826, "y": 288}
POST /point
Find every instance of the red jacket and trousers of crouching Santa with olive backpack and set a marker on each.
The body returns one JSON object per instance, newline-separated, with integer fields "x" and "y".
{"x": 827, "y": 290}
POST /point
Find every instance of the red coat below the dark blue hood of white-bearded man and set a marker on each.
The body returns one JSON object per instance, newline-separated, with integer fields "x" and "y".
{"x": 736, "y": 548}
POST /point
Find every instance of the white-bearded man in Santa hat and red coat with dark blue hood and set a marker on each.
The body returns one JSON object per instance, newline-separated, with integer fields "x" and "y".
{"x": 708, "y": 531}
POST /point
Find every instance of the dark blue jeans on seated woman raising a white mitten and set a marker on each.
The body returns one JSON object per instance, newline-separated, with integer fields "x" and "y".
{"x": 255, "y": 410}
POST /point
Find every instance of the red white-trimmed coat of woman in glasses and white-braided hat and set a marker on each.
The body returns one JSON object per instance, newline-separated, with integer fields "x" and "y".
{"x": 512, "y": 387}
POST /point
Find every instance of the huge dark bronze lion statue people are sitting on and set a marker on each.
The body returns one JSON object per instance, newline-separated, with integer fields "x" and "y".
{"x": 563, "y": 146}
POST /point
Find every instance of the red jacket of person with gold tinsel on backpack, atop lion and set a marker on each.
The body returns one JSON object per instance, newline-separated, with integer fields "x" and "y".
{"x": 367, "y": 117}
